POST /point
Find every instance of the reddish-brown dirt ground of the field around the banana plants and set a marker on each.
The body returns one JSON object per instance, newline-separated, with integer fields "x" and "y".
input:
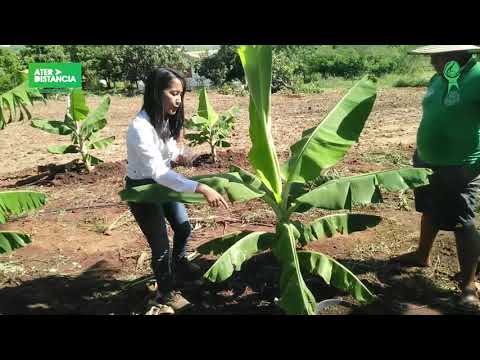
{"x": 89, "y": 257}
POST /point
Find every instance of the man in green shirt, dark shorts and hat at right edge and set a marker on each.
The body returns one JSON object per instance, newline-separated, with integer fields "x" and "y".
{"x": 448, "y": 142}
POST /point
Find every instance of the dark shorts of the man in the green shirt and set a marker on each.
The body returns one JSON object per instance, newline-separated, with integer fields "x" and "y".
{"x": 451, "y": 197}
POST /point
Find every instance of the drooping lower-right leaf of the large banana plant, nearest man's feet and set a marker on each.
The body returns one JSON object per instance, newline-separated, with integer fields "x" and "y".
{"x": 334, "y": 274}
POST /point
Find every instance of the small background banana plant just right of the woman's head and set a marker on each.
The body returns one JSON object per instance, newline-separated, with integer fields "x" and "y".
{"x": 210, "y": 127}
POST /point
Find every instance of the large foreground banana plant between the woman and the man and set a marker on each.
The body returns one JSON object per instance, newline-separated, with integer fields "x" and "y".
{"x": 284, "y": 188}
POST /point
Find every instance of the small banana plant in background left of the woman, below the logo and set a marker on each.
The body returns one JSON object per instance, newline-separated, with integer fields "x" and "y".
{"x": 83, "y": 127}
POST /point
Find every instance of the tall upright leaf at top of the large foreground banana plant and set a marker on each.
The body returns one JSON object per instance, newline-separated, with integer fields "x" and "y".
{"x": 257, "y": 64}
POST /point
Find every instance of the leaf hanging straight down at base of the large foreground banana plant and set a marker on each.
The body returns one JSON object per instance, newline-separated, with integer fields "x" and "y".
{"x": 296, "y": 298}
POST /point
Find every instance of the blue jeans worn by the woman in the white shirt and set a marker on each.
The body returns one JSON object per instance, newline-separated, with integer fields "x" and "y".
{"x": 152, "y": 221}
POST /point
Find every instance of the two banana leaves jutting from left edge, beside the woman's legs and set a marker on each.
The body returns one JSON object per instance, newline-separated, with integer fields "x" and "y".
{"x": 17, "y": 203}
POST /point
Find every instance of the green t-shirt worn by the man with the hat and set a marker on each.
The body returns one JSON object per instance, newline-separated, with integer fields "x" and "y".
{"x": 449, "y": 132}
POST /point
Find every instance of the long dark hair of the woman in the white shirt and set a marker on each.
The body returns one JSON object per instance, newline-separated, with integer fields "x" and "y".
{"x": 157, "y": 81}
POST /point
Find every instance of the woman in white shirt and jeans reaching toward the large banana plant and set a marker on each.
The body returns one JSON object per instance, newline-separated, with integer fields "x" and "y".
{"x": 151, "y": 148}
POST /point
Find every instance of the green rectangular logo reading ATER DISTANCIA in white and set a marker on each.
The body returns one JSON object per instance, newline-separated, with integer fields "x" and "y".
{"x": 55, "y": 76}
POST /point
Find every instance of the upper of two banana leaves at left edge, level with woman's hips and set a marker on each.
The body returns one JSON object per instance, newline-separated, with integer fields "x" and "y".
{"x": 19, "y": 202}
